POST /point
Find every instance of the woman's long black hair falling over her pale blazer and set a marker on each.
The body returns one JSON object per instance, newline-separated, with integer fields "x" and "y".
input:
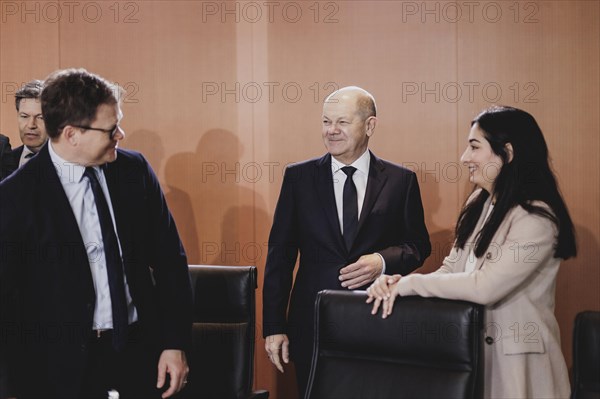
{"x": 526, "y": 178}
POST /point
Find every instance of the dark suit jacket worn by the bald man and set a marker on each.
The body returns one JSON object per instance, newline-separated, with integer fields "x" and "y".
{"x": 306, "y": 221}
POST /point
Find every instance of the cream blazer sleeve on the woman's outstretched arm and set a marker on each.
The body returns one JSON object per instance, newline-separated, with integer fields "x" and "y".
{"x": 528, "y": 246}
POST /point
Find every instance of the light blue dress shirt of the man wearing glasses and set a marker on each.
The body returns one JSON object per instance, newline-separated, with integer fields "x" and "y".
{"x": 81, "y": 198}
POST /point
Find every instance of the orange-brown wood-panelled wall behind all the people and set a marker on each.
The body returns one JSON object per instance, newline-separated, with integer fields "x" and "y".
{"x": 222, "y": 95}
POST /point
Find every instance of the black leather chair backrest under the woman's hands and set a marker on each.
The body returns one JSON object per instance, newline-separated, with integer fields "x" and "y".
{"x": 427, "y": 348}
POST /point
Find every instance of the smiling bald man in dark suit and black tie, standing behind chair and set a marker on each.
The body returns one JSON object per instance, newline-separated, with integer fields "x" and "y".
{"x": 350, "y": 215}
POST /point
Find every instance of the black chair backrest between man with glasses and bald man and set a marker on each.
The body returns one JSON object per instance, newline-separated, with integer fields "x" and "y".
{"x": 222, "y": 357}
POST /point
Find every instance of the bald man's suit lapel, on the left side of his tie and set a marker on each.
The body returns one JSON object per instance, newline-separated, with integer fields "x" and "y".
{"x": 324, "y": 187}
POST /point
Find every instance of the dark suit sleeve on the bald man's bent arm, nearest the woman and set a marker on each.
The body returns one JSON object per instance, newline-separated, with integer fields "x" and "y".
{"x": 413, "y": 240}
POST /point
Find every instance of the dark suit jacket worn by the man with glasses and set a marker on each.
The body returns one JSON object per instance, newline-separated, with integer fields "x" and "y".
{"x": 46, "y": 287}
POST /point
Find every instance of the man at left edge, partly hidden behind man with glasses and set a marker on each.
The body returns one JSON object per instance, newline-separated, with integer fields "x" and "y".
{"x": 31, "y": 126}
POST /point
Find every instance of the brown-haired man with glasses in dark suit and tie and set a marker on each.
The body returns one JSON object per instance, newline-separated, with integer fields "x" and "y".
{"x": 95, "y": 292}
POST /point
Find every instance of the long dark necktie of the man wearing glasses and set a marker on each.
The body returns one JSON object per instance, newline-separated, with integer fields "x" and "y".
{"x": 114, "y": 264}
